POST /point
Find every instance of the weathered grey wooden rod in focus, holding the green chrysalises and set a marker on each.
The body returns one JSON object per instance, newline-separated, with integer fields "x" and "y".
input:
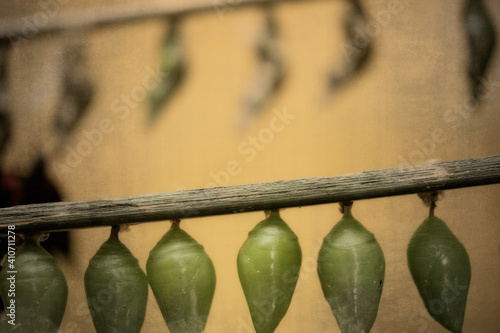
{"x": 253, "y": 197}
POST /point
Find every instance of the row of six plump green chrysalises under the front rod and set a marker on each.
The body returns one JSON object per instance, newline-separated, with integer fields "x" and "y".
{"x": 351, "y": 268}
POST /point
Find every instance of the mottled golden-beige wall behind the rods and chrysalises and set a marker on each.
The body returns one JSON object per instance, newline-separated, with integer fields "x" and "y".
{"x": 416, "y": 76}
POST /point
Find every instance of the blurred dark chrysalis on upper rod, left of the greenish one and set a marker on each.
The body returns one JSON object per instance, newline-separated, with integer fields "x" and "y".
{"x": 78, "y": 91}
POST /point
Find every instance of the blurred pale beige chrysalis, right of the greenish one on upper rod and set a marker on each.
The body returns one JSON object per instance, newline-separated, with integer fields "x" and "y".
{"x": 270, "y": 72}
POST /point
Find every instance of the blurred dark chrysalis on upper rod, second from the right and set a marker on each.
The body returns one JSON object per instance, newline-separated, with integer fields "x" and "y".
{"x": 356, "y": 53}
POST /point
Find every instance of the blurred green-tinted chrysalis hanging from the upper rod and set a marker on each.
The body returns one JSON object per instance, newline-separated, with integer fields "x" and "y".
{"x": 172, "y": 66}
